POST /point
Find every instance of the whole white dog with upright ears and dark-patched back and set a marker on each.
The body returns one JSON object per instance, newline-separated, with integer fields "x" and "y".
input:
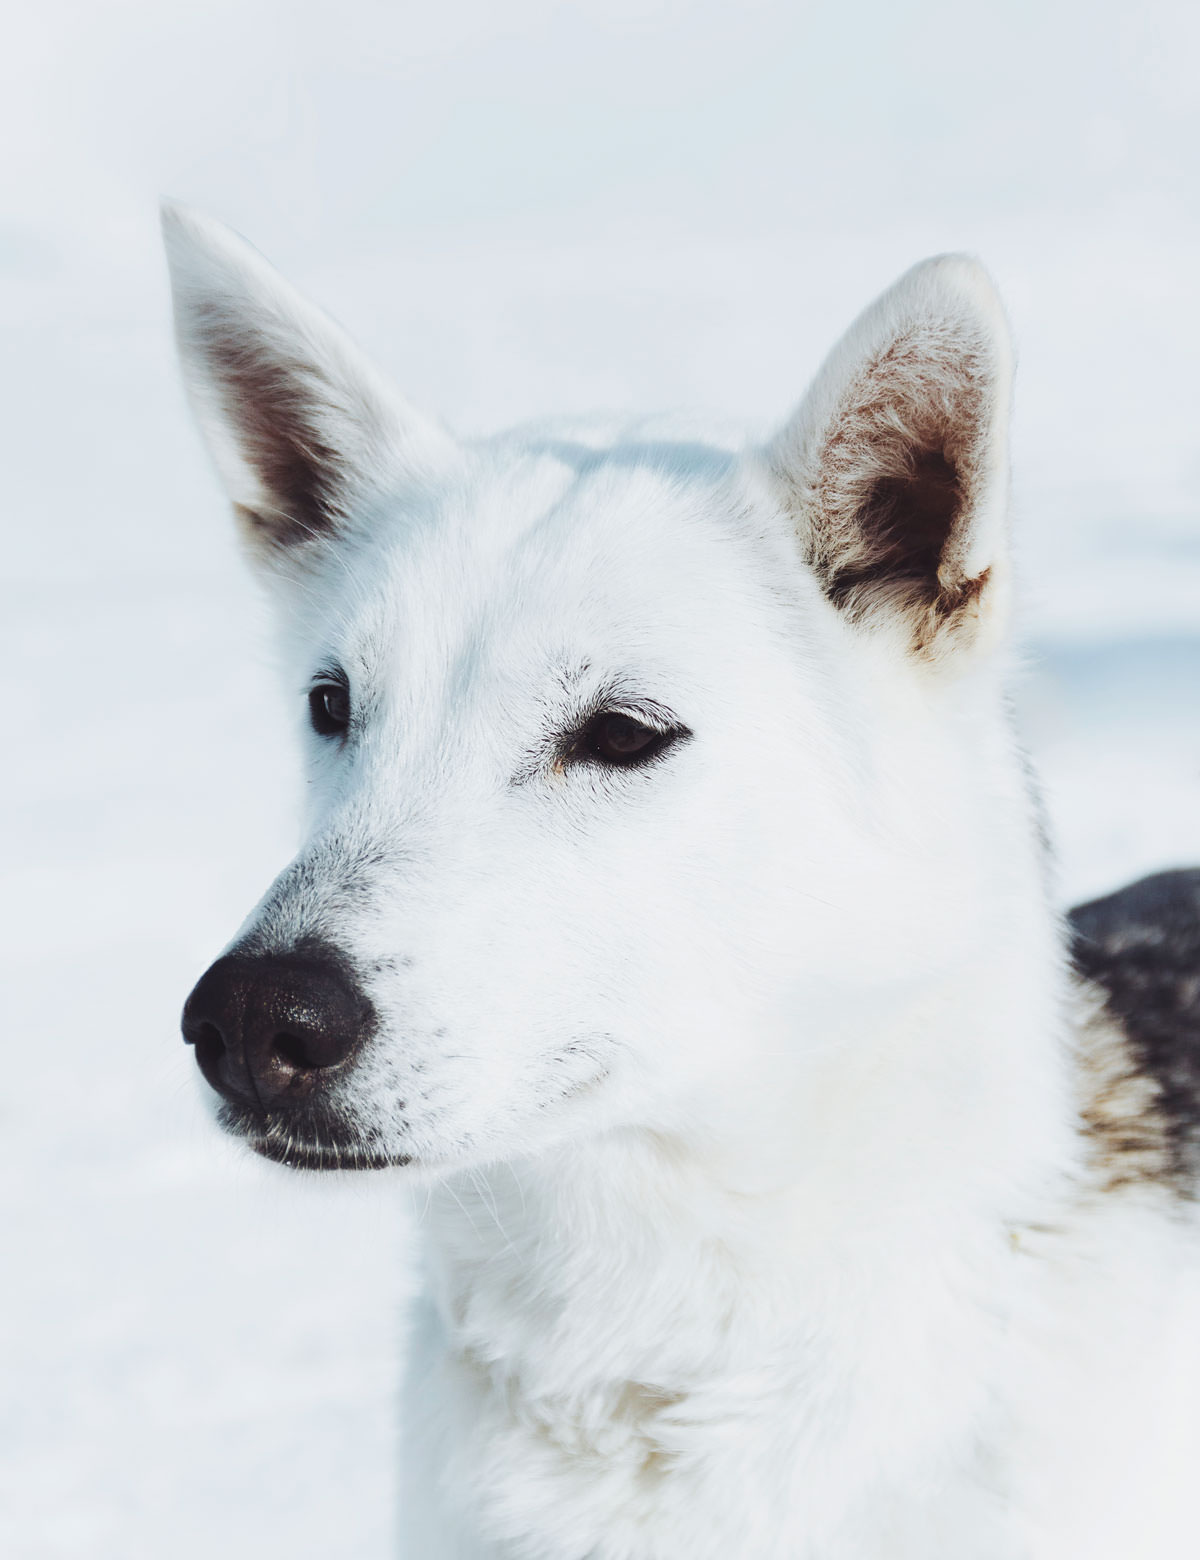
{"x": 673, "y": 912}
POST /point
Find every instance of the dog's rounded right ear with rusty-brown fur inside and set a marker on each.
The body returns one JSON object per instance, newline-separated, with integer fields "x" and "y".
{"x": 896, "y": 466}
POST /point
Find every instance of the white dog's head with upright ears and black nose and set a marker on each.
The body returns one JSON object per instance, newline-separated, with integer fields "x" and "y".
{"x": 642, "y": 771}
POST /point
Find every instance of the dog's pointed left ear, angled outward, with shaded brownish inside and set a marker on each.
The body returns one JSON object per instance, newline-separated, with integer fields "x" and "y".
{"x": 300, "y": 425}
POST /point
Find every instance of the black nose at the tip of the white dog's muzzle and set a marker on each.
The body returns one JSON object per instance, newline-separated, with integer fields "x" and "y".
{"x": 269, "y": 1027}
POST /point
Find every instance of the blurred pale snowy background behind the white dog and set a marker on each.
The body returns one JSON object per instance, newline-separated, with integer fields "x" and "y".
{"x": 522, "y": 210}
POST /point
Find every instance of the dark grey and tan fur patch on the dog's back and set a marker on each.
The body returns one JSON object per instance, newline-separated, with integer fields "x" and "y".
{"x": 1138, "y": 957}
